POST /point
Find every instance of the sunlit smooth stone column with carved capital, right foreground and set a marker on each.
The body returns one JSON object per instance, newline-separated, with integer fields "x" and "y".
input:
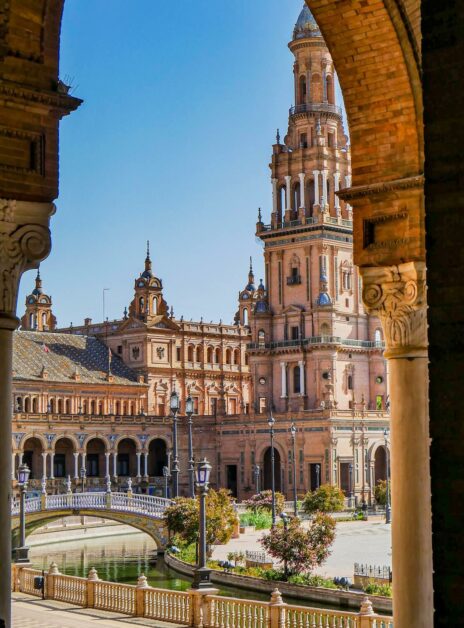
{"x": 397, "y": 295}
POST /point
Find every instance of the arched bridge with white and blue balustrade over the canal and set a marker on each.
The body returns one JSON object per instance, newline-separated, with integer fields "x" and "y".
{"x": 144, "y": 512}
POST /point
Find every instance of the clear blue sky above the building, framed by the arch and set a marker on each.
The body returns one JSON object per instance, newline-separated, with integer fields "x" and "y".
{"x": 172, "y": 144}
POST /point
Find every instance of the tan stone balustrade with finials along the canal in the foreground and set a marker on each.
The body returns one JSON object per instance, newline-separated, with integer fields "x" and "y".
{"x": 193, "y": 608}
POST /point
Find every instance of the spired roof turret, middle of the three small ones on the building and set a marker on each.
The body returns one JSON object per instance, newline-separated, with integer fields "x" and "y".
{"x": 148, "y": 300}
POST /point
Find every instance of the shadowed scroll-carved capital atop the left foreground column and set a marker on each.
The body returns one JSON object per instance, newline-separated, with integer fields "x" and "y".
{"x": 24, "y": 242}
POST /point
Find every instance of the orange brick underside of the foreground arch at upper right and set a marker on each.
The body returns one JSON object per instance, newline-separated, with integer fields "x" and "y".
{"x": 379, "y": 74}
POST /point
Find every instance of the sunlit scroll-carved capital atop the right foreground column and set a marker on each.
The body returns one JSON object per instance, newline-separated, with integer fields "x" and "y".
{"x": 397, "y": 295}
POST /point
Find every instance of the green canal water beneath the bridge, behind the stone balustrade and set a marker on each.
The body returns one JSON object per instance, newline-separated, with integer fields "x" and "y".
{"x": 123, "y": 558}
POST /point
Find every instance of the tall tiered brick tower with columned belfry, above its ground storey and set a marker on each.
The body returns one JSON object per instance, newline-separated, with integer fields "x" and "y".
{"x": 313, "y": 344}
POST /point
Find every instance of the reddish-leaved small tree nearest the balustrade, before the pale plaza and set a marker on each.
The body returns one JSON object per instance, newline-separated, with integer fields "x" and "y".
{"x": 302, "y": 550}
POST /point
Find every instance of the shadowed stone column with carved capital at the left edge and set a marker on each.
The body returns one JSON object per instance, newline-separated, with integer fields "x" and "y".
{"x": 24, "y": 241}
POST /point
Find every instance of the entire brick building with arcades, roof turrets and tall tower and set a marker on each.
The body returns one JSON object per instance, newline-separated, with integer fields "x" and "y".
{"x": 303, "y": 348}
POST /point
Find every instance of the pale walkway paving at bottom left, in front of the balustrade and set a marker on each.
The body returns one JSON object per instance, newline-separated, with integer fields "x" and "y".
{"x": 32, "y": 612}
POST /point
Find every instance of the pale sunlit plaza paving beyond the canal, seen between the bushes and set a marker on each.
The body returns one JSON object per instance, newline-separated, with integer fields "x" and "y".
{"x": 355, "y": 542}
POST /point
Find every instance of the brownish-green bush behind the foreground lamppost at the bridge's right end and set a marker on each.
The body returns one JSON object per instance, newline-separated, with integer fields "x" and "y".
{"x": 182, "y": 518}
